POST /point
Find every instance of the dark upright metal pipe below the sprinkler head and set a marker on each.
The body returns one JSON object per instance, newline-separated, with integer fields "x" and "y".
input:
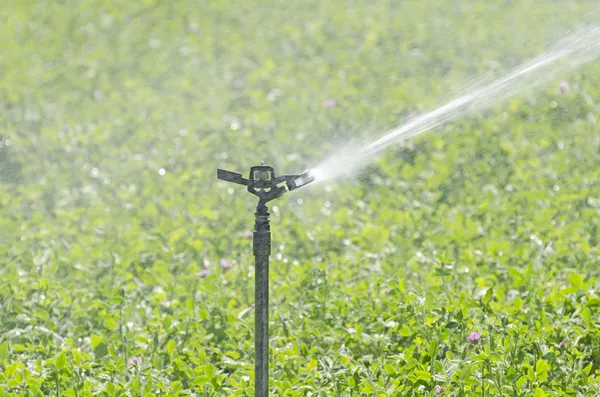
{"x": 262, "y": 250}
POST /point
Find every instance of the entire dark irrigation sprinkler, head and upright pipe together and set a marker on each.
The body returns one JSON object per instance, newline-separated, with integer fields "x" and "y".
{"x": 263, "y": 183}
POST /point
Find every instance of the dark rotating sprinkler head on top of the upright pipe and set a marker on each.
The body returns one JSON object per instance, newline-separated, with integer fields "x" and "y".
{"x": 263, "y": 183}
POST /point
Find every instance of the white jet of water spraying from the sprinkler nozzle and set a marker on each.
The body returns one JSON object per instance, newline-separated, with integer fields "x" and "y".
{"x": 574, "y": 50}
